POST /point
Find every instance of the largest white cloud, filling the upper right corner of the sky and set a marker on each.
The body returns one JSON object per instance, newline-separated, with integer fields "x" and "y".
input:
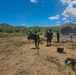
{"x": 70, "y": 11}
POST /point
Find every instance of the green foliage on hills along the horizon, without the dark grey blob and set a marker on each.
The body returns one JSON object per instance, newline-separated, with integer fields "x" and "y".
{"x": 21, "y": 30}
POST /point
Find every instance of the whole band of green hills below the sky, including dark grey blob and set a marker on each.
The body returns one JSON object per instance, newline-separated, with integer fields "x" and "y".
{"x": 7, "y": 29}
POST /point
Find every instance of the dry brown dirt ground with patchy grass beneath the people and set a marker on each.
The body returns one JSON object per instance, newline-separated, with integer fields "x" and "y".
{"x": 18, "y": 56}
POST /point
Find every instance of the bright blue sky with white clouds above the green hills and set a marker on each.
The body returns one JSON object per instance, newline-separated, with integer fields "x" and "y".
{"x": 37, "y": 12}
